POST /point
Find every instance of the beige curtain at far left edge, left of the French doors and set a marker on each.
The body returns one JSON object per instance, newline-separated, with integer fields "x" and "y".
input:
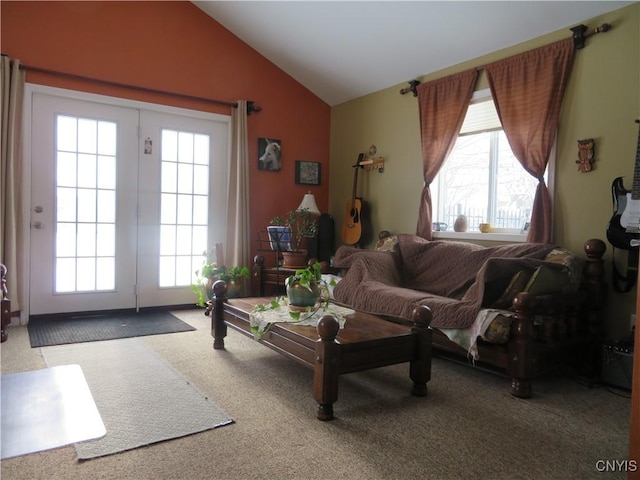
{"x": 12, "y": 80}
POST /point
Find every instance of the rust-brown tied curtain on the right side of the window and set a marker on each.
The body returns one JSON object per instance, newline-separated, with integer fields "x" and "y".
{"x": 528, "y": 90}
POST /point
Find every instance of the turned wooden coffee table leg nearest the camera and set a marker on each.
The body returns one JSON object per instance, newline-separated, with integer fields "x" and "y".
{"x": 326, "y": 369}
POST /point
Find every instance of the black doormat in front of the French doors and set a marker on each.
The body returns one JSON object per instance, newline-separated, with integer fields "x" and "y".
{"x": 49, "y": 330}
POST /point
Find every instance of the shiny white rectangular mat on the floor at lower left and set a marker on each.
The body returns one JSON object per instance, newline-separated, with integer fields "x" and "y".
{"x": 46, "y": 409}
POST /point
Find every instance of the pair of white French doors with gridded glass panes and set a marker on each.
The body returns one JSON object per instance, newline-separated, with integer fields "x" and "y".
{"x": 124, "y": 201}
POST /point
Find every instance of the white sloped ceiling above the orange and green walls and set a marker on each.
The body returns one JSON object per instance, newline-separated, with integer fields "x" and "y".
{"x": 341, "y": 50}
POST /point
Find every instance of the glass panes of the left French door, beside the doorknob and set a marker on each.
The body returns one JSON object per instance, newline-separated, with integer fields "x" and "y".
{"x": 85, "y": 204}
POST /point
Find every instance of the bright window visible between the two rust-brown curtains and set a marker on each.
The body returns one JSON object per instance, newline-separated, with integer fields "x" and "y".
{"x": 481, "y": 178}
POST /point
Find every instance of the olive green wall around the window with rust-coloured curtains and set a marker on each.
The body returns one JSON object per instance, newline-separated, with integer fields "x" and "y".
{"x": 602, "y": 101}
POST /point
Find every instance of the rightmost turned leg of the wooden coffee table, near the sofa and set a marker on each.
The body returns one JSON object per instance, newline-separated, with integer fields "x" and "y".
{"x": 420, "y": 366}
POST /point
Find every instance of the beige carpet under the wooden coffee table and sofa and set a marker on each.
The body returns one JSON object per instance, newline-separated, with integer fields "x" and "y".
{"x": 467, "y": 428}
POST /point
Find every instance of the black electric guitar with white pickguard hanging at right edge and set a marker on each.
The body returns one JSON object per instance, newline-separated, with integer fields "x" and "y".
{"x": 624, "y": 226}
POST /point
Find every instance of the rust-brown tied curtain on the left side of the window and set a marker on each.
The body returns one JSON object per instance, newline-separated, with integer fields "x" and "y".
{"x": 443, "y": 105}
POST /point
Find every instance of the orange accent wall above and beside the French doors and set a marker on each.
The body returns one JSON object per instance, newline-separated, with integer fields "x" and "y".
{"x": 174, "y": 46}
